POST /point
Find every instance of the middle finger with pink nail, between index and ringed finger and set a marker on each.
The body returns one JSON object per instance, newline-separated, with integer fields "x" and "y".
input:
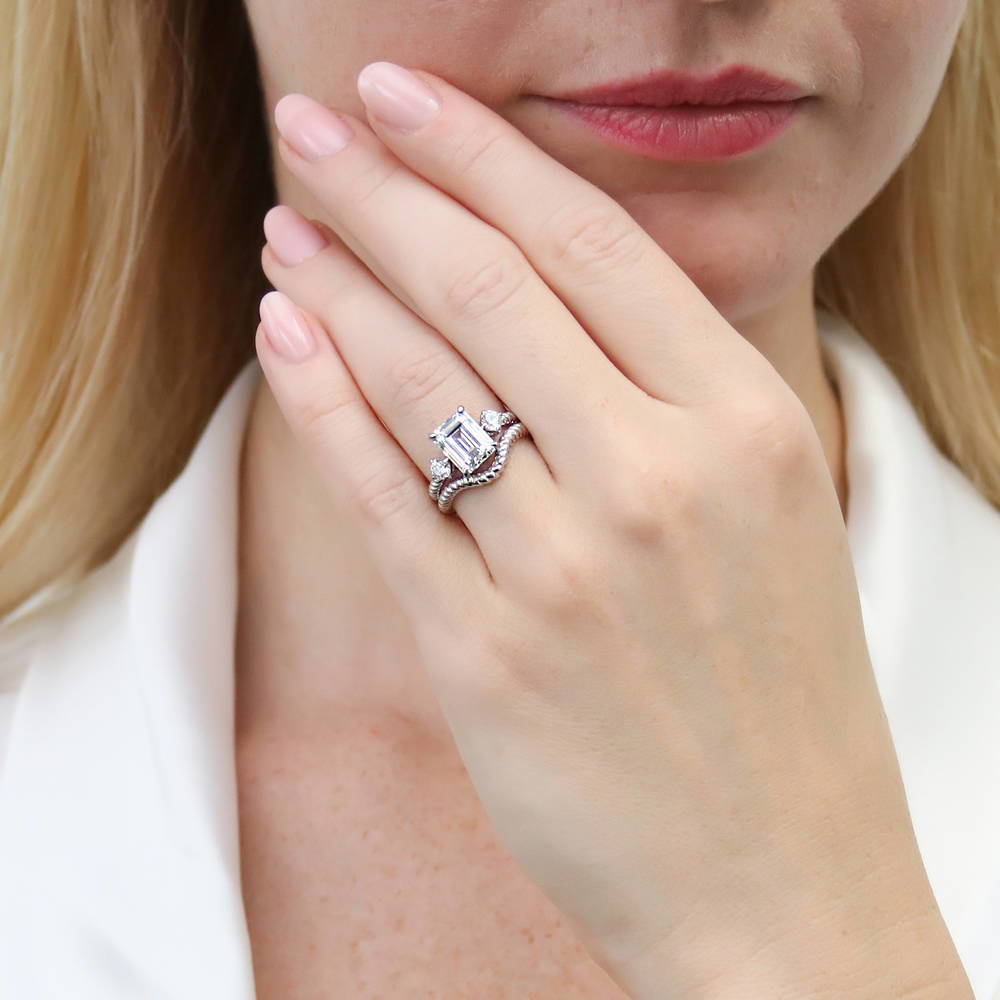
{"x": 465, "y": 279}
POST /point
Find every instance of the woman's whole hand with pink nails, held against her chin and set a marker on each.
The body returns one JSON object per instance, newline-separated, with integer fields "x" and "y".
{"x": 645, "y": 634}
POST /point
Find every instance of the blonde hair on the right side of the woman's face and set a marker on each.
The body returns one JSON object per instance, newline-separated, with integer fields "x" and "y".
{"x": 918, "y": 272}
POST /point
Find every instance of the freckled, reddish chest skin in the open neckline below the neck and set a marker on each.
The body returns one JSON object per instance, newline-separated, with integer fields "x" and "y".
{"x": 370, "y": 870}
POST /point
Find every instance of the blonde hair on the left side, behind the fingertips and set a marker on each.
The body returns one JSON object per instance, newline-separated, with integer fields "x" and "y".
{"x": 135, "y": 172}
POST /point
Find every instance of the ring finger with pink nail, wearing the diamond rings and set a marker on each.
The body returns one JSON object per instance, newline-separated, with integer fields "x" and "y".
{"x": 412, "y": 377}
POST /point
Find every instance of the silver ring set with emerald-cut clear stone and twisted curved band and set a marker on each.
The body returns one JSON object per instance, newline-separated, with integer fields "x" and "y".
{"x": 466, "y": 445}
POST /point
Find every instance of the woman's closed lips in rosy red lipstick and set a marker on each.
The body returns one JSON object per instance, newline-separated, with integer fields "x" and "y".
{"x": 669, "y": 115}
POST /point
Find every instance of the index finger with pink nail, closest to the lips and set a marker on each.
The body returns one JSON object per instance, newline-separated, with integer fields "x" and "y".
{"x": 647, "y": 315}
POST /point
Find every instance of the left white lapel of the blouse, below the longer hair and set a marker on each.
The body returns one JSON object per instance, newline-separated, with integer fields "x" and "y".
{"x": 119, "y": 856}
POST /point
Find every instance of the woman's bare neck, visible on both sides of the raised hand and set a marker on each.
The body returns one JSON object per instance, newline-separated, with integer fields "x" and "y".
{"x": 319, "y": 634}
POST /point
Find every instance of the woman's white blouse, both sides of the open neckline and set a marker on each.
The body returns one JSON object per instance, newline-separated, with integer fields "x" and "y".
{"x": 119, "y": 849}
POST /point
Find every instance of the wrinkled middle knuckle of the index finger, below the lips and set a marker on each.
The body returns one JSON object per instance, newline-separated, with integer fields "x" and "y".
{"x": 587, "y": 236}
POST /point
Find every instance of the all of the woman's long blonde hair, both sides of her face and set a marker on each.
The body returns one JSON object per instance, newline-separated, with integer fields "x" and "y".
{"x": 136, "y": 170}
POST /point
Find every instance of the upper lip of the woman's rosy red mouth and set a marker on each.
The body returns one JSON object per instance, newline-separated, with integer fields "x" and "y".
{"x": 663, "y": 88}
